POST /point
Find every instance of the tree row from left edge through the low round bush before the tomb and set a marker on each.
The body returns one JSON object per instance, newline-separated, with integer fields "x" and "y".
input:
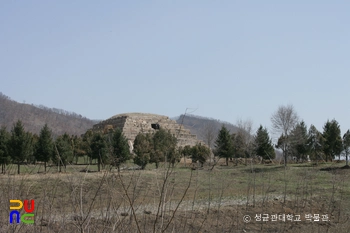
{"x": 19, "y": 146}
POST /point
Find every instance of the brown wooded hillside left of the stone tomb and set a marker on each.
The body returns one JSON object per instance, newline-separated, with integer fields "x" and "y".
{"x": 35, "y": 117}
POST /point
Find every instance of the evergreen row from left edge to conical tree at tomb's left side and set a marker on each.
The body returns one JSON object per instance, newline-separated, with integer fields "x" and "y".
{"x": 19, "y": 146}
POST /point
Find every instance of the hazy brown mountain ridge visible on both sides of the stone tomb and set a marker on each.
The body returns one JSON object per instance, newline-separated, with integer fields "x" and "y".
{"x": 61, "y": 121}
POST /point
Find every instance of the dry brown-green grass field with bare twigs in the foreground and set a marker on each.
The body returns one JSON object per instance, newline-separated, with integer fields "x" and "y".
{"x": 181, "y": 199}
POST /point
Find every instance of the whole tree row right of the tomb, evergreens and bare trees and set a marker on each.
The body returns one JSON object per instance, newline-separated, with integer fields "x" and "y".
{"x": 295, "y": 140}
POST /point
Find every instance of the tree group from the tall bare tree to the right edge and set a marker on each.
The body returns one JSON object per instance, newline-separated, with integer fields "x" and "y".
{"x": 298, "y": 142}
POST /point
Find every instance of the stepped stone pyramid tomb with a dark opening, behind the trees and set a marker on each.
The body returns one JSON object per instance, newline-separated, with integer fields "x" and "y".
{"x": 134, "y": 123}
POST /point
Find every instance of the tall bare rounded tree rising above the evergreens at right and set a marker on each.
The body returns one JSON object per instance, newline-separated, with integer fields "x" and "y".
{"x": 283, "y": 121}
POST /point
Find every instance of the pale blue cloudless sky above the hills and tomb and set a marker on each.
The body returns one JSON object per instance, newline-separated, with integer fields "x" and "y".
{"x": 230, "y": 59}
